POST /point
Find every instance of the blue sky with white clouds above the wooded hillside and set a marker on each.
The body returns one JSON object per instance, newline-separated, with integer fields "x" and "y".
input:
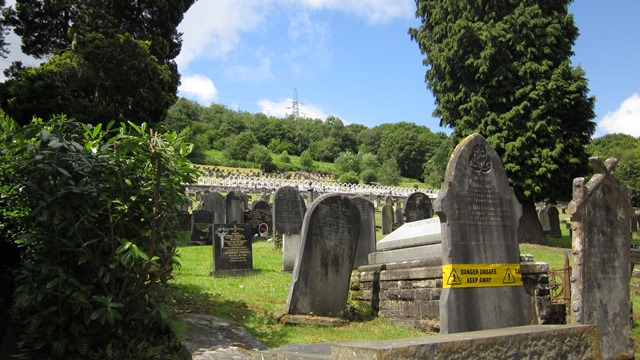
{"x": 353, "y": 59}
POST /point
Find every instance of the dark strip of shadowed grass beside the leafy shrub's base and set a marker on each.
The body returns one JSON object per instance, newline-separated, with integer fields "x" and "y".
{"x": 262, "y": 325}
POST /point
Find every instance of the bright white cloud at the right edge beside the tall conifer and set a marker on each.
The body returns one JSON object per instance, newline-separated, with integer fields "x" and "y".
{"x": 624, "y": 120}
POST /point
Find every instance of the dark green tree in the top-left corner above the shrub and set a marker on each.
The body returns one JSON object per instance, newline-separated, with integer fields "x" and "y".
{"x": 107, "y": 60}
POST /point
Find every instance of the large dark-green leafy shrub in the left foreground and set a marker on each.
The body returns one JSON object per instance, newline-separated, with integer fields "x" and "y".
{"x": 101, "y": 235}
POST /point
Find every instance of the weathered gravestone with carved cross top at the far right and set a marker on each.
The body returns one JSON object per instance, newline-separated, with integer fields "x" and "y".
{"x": 600, "y": 212}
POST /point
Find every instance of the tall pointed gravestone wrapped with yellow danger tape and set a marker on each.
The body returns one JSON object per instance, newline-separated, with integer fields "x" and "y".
{"x": 481, "y": 285}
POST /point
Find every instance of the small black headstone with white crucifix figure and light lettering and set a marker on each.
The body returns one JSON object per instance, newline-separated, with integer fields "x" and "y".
{"x": 232, "y": 250}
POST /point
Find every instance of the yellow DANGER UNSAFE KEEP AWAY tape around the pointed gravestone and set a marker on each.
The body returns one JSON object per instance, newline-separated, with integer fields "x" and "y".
{"x": 480, "y": 275}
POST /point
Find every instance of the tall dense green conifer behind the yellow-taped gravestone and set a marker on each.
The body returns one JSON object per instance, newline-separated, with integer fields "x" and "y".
{"x": 503, "y": 69}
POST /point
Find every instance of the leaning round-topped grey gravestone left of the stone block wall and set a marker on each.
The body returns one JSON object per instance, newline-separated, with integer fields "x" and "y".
{"x": 320, "y": 283}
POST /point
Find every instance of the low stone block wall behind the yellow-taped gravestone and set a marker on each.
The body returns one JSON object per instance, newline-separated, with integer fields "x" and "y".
{"x": 408, "y": 293}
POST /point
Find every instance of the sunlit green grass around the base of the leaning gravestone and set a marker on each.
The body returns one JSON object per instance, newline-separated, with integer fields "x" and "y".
{"x": 252, "y": 300}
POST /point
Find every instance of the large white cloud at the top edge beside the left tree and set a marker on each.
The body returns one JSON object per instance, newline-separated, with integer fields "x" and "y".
{"x": 211, "y": 29}
